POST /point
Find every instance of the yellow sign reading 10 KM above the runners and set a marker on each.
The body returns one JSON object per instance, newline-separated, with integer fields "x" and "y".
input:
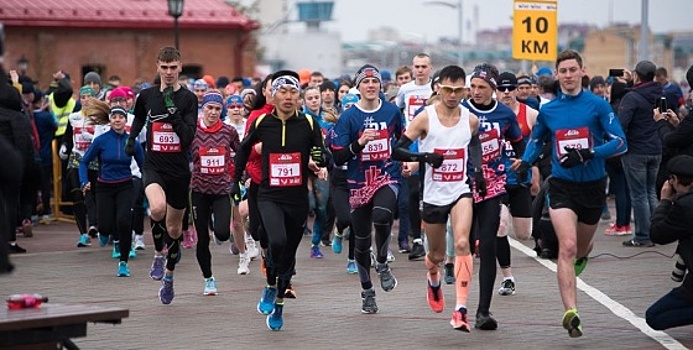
{"x": 535, "y": 30}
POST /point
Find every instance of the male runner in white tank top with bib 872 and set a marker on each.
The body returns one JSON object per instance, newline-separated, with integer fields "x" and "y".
{"x": 446, "y": 191}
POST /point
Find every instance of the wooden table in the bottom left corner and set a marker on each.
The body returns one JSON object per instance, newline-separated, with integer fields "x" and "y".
{"x": 52, "y": 325}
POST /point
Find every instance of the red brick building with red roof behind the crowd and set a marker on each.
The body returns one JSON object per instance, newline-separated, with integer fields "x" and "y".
{"x": 122, "y": 38}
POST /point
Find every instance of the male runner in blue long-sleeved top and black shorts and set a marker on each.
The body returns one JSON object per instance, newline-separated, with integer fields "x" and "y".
{"x": 577, "y": 186}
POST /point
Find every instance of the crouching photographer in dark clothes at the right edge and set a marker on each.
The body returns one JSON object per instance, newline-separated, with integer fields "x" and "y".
{"x": 671, "y": 222}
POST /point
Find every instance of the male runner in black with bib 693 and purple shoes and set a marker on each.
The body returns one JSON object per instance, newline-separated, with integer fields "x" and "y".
{"x": 170, "y": 113}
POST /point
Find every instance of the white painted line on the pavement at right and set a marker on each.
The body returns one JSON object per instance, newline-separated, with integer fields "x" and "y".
{"x": 615, "y": 307}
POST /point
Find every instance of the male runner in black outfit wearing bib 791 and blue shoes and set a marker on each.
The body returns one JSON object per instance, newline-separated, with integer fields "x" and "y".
{"x": 289, "y": 140}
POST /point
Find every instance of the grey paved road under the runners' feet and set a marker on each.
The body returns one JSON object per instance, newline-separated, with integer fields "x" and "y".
{"x": 613, "y": 298}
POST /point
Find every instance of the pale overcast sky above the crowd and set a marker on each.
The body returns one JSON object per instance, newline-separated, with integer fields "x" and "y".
{"x": 417, "y": 20}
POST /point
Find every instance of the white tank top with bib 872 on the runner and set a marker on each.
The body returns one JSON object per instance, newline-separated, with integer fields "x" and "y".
{"x": 446, "y": 184}
